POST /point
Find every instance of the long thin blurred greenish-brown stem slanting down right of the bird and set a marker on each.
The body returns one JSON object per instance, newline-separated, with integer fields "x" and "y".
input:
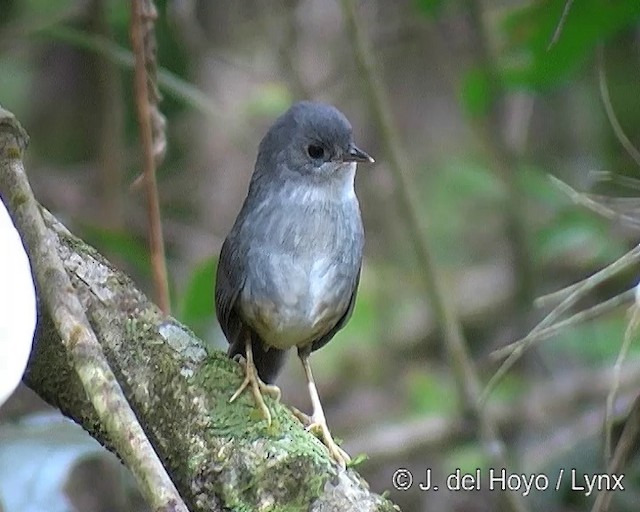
{"x": 467, "y": 378}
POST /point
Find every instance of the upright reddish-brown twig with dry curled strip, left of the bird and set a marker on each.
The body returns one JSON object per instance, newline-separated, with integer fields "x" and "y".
{"x": 151, "y": 123}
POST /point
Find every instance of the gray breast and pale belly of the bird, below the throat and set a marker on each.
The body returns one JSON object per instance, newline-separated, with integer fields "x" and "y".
{"x": 302, "y": 272}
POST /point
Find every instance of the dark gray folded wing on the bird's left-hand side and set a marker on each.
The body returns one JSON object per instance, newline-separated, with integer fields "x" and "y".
{"x": 230, "y": 278}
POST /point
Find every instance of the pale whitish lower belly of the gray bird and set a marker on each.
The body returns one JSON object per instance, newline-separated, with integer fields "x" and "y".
{"x": 293, "y": 303}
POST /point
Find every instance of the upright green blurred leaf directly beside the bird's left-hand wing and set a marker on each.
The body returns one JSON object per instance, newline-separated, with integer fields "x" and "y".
{"x": 197, "y": 304}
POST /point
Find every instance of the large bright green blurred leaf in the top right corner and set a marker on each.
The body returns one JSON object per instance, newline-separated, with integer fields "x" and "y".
{"x": 529, "y": 30}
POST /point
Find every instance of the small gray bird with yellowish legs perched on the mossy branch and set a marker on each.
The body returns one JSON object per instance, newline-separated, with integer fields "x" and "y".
{"x": 289, "y": 269}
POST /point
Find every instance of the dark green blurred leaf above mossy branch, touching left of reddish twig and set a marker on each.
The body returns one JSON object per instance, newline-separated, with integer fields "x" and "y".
{"x": 120, "y": 244}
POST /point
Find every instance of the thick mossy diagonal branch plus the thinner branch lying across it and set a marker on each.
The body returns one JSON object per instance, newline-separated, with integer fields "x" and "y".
{"x": 111, "y": 337}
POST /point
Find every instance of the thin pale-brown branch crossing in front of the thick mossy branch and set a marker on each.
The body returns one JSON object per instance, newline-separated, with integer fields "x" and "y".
{"x": 85, "y": 354}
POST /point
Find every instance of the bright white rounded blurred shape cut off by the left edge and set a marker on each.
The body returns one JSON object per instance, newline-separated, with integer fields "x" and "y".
{"x": 17, "y": 306}
